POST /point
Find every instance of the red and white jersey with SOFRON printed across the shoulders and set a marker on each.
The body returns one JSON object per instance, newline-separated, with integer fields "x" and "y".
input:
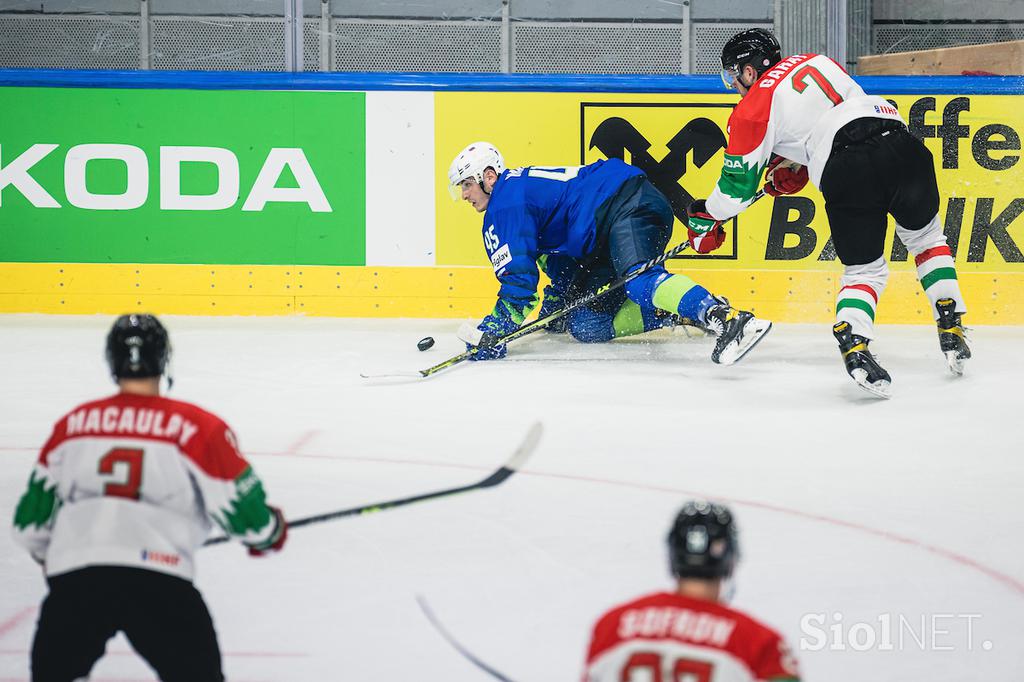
{"x": 667, "y": 636}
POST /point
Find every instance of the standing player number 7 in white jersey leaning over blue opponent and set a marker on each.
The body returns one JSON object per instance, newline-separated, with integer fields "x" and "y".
{"x": 858, "y": 151}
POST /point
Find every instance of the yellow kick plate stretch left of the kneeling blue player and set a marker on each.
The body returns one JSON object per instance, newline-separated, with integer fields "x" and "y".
{"x": 243, "y": 290}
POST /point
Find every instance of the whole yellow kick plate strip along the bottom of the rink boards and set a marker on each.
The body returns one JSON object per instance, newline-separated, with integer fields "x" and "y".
{"x": 788, "y": 296}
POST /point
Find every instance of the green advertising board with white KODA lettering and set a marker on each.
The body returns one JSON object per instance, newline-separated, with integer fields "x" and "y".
{"x": 183, "y": 177}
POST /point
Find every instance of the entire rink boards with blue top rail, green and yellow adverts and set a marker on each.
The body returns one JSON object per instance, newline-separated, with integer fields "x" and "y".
{"x": 326, "y": 195}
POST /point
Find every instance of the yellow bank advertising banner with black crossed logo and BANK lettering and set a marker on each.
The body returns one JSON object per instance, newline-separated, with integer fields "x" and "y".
{"x": 679, "y": 142}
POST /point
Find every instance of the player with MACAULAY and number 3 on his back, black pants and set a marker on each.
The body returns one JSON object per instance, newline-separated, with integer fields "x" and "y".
{"x": 122, "y": 496}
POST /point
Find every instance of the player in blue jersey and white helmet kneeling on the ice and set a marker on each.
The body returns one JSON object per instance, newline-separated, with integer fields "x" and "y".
{"x": 585, "y": 227}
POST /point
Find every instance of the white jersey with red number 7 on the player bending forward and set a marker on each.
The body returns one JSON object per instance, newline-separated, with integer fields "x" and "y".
{"x": 795, "y": 111}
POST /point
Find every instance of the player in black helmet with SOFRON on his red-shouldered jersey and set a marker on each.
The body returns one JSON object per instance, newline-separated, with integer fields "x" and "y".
{"x": 690, "y": 634}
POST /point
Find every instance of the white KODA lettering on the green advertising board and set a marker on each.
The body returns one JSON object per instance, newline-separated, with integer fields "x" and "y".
{"x": 17, "y": 174}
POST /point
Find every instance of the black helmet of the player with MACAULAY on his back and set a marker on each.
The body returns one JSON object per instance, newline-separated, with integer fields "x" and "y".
{"x": 138, "y": 348}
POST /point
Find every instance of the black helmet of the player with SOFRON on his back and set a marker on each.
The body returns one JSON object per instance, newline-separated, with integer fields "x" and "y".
{"x": 703, "y": 542}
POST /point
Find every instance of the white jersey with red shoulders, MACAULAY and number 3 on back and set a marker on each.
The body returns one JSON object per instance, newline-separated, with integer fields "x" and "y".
{"x": 135, "y": 481}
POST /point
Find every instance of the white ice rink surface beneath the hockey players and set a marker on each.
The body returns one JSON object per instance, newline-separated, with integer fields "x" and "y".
{"x": 883, "y": 539}
